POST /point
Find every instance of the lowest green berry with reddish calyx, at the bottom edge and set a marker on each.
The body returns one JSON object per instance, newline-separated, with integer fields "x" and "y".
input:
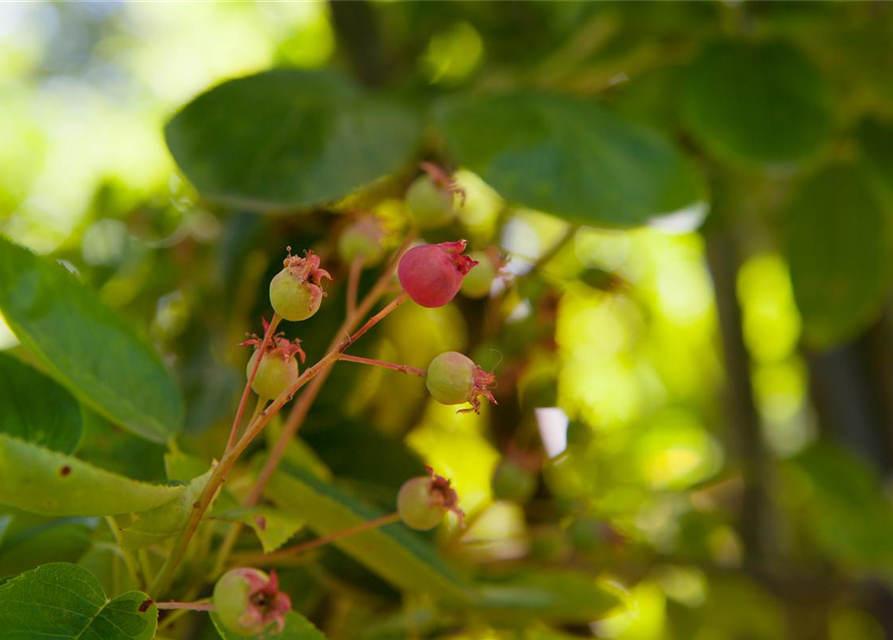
{"x": 248, "y": 602}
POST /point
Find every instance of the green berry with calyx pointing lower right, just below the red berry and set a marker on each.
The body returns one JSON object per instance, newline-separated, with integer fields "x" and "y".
{"x": 454, "y": 379}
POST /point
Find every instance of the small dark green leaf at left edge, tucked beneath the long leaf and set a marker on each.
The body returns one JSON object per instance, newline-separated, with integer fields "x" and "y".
{"x": 36, "y": 409}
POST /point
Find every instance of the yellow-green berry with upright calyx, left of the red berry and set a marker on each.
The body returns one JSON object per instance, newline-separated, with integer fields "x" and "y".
{"x": 296, "y": 291}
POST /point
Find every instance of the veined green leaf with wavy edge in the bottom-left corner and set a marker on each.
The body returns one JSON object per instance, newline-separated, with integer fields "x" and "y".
{"x": 67, "y": 602}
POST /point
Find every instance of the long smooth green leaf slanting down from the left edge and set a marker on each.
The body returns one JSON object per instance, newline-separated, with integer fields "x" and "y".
{"x": 85, "y": 345}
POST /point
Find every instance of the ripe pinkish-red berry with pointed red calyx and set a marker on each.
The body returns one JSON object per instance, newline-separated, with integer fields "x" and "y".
{"x": 432, "y": 273}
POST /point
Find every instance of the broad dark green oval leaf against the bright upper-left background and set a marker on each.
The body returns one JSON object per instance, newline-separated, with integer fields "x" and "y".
{"x": 289, "y": 139}
